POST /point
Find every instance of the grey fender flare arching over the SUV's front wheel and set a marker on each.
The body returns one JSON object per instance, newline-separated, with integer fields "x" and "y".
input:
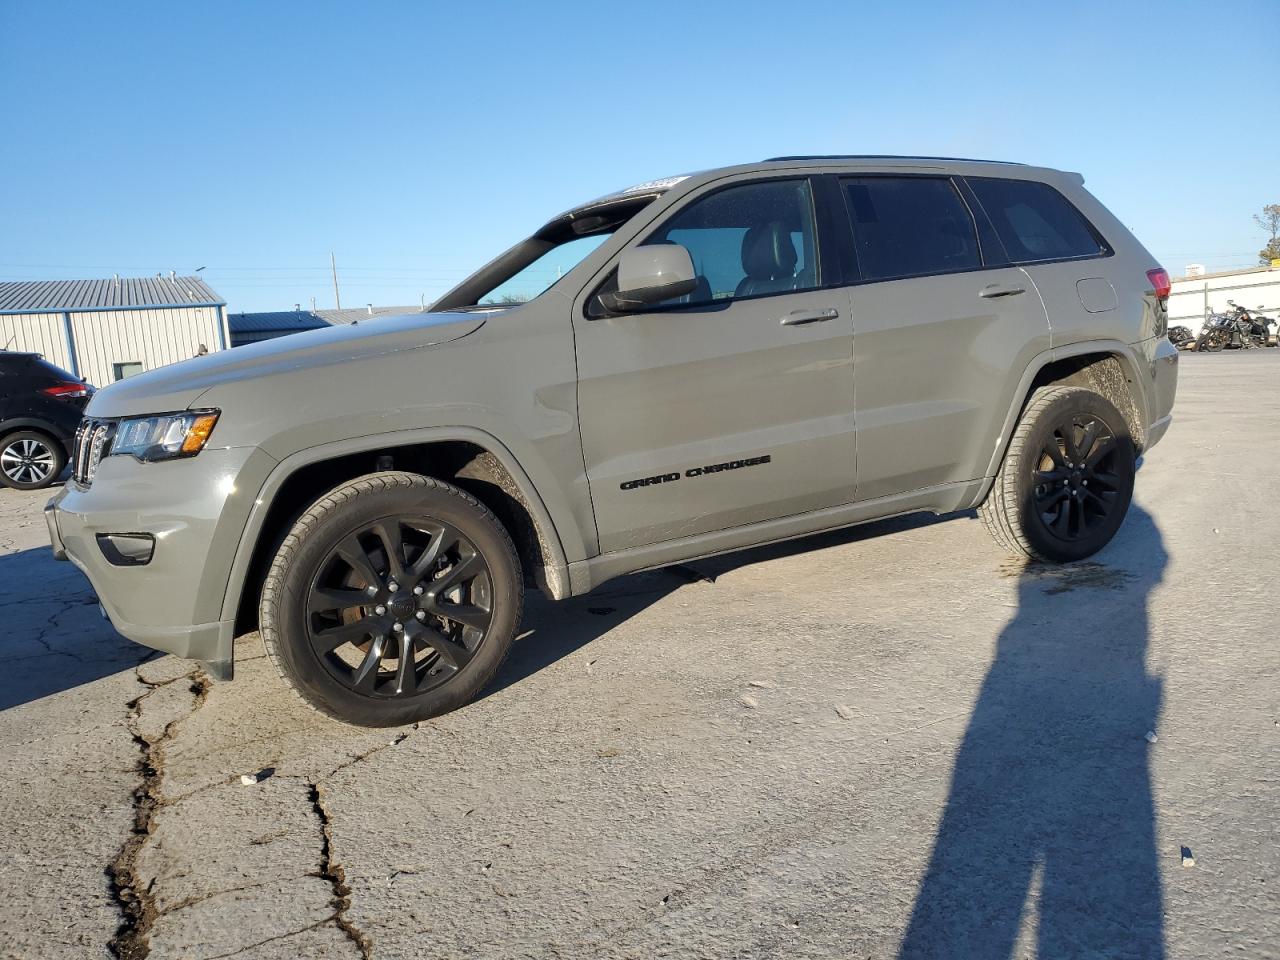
{"x": 556, "y": 570}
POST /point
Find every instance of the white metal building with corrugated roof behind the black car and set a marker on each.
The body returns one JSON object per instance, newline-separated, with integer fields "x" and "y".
{"x": 106, "y": 331}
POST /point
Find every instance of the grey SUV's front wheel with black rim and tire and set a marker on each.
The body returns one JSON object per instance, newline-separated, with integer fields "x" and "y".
{"x": 337, "y": 610}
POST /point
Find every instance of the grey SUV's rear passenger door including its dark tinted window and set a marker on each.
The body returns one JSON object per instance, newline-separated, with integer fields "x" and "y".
{"x": 943, "y": 324}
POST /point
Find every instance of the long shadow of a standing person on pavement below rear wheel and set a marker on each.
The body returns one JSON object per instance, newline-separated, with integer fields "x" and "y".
{"x": 1052, "y": 785}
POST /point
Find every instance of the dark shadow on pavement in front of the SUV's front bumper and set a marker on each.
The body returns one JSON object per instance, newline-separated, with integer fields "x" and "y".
{"x": 53, "y": 637}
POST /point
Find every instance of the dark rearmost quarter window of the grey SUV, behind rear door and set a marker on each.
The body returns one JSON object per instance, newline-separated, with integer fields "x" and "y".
{"x": 1036, "y": 222}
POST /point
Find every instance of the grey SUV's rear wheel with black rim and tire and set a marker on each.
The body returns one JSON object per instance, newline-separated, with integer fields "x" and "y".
{"x": 1028, "y": 511}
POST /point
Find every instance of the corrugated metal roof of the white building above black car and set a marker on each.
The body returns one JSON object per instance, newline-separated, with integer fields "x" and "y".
{"x": 56, "y": 296}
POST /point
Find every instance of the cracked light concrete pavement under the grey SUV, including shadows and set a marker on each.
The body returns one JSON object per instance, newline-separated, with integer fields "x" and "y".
{"x": 888, "y": 742}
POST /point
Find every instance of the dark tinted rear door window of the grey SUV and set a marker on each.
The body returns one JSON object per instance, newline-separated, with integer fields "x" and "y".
{"x": 911, "y": 227}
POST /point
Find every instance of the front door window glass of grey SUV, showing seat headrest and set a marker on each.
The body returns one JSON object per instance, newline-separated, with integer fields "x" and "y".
{"x": 748, "y": 241}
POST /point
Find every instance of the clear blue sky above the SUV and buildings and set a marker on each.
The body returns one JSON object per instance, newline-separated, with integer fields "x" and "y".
{"x": 418, "y": 140}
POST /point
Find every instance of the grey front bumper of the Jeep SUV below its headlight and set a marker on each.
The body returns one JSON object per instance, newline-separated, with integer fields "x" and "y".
{"x": 196, "y": 511}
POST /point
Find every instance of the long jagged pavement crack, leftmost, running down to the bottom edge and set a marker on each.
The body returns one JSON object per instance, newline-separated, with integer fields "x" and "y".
{"x": 132, "y": 940}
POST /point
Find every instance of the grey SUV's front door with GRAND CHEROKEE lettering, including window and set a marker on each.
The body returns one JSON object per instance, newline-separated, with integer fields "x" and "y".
{"x": 735, "y": 404}
